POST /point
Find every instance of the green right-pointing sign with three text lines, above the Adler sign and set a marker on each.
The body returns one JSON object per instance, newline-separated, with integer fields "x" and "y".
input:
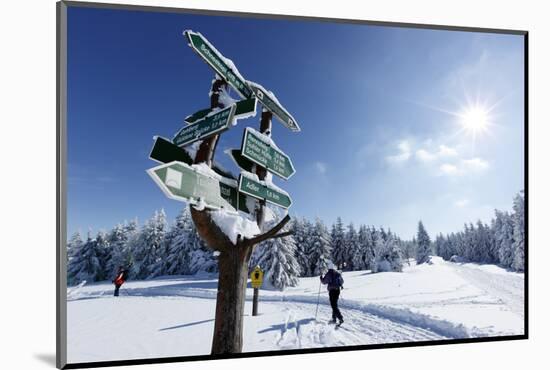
{"x": 260, "y": 149}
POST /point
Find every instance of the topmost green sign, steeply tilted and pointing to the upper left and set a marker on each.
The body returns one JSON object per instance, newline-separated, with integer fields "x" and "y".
{"x": 223, "y": 66}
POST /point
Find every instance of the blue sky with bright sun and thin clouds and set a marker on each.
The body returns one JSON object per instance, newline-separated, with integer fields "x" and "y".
{"x": 383, "y": 112}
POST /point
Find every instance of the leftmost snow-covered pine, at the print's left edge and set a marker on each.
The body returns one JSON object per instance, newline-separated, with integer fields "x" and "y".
{"x": 86, "y": 262}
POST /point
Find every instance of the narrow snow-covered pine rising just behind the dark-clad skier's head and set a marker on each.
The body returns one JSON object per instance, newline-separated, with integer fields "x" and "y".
{"x": 319, "y": 248}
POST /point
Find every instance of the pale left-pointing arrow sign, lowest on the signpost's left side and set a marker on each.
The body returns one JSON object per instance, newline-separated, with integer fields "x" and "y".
{"x": 182, "y": 182}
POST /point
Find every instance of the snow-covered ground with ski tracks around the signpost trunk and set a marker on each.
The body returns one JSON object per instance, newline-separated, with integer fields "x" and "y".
{"x": 175, "y": 316}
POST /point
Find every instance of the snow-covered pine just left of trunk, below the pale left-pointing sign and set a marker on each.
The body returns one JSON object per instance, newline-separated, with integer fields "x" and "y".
{"x": 179, "y": 251}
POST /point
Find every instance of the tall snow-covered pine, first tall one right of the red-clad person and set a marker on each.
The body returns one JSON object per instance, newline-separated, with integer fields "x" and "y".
{"x": 147, "y": 245}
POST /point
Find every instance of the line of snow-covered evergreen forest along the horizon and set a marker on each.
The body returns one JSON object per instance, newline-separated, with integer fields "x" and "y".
{"x": 158, "y": 249}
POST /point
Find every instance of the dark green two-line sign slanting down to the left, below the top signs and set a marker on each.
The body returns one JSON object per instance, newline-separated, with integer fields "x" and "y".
{"x": 211, "y": 124}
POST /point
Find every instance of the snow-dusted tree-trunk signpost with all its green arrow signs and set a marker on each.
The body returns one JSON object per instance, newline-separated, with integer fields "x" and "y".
{"x": 185, "y": 175}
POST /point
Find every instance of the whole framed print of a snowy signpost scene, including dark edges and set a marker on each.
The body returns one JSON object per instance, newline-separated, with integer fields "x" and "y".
{"x": 236, "y": 184}
